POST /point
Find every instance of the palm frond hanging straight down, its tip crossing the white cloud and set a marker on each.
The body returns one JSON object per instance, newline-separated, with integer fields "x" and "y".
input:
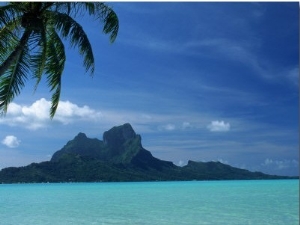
{"x": 54, "y": 68}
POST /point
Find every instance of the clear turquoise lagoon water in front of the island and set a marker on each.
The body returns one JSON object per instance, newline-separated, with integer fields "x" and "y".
{"x": 152, "y": 203}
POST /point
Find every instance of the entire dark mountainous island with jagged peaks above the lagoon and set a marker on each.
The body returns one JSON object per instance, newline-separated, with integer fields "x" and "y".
{"x": 120, "y": 156}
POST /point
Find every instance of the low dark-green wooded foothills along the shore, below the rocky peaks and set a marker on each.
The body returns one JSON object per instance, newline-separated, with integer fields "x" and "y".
{"x": 75, "y": 168}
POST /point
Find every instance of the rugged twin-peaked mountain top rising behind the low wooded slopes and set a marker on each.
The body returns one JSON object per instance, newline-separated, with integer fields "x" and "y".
{"x": 120, "y": 145}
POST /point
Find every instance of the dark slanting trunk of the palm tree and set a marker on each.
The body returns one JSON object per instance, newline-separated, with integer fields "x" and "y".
{"x": 14, "y": 55}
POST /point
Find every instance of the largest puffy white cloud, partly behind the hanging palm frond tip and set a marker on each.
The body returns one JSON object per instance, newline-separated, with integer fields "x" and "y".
{"x": 36, "y": 116}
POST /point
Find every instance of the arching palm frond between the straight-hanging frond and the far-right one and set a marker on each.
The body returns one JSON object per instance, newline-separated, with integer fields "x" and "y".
{"x": 69, "y": 28}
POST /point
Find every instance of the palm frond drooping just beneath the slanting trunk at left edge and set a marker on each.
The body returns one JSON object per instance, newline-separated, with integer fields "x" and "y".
{"x": 13, "y": 80}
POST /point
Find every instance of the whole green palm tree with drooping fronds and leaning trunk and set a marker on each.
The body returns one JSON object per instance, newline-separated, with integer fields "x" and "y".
{"x": 31, "y": 42}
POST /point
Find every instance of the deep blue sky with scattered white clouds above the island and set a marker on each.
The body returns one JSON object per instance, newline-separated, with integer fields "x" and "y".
{"x": 198, "y": 81}
